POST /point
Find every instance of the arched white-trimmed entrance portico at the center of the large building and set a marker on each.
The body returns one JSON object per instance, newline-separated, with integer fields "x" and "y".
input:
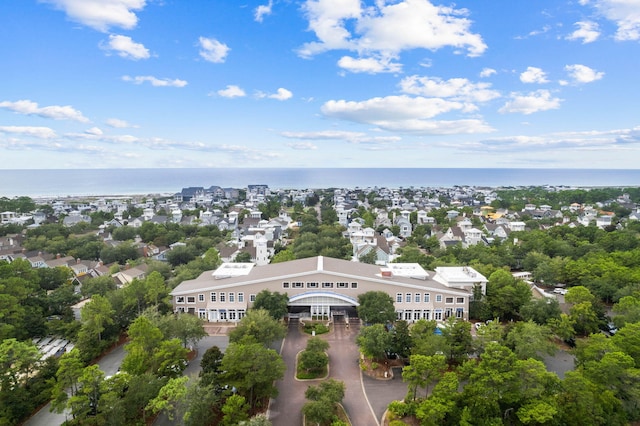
{"x": 323, "y": 304}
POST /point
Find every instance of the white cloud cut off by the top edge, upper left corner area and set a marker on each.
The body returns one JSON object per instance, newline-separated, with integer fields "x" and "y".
{"x": 101, "y": 14}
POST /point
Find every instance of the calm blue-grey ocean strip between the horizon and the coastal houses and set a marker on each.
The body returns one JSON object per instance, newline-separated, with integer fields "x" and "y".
{"x": 96, "y": 182}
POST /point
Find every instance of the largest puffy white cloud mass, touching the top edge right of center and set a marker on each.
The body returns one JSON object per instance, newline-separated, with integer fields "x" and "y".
{"x": 385, "y": 30}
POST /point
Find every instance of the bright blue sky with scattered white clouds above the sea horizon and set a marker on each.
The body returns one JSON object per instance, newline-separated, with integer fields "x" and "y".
{"x": 319, "y": 83}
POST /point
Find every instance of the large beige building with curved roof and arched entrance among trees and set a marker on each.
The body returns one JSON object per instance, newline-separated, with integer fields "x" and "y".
{"x": 327, "y": 286}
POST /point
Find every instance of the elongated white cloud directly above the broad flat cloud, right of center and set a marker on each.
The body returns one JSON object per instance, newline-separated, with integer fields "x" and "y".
{"x": 455, "y": 88}
